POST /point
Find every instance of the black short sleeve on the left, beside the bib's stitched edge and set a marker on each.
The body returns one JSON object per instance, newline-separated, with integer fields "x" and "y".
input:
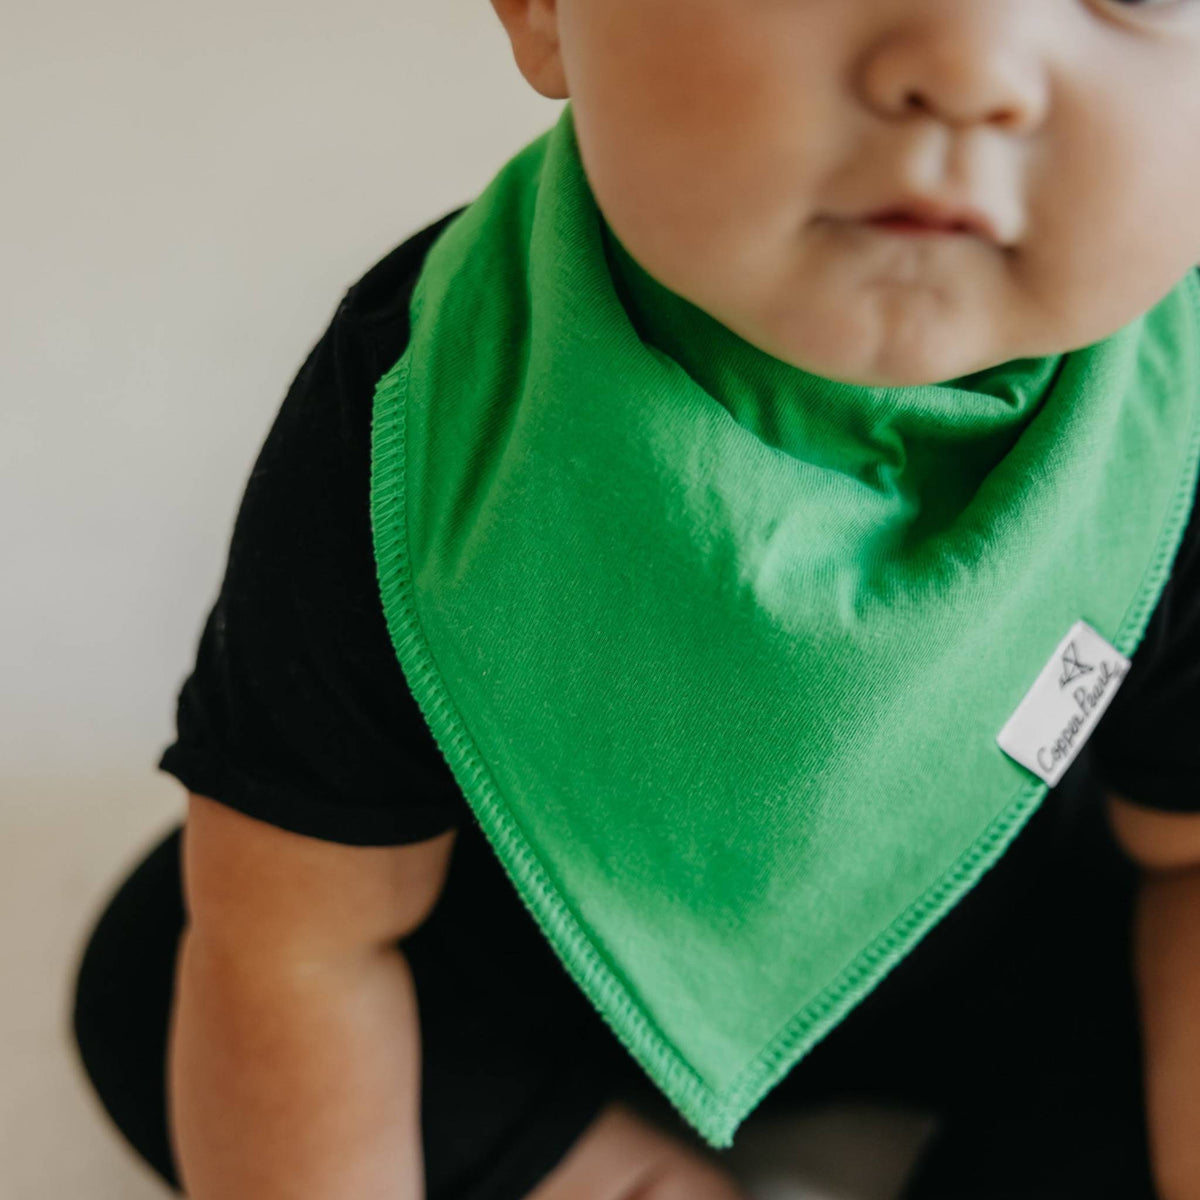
{"x": 297, "y": 711}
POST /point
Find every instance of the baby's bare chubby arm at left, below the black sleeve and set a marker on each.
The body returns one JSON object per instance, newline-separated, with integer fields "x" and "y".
{"x": 295, "y": 1055}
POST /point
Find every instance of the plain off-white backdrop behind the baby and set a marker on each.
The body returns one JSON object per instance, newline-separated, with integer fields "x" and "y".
{"x": 185, "y": 196}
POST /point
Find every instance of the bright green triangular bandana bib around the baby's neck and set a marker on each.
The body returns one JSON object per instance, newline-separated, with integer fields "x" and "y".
{"x": 749, "y": 675}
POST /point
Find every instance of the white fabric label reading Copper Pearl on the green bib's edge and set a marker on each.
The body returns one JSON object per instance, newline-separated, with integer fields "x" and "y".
{"x": 1065, "y": 704}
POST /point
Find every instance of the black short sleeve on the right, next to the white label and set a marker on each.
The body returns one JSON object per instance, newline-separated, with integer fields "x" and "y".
{"x": 1148, "y": 745}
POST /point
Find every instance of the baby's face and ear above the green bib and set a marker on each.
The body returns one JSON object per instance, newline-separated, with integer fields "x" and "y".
{"x": 735, "y": 147}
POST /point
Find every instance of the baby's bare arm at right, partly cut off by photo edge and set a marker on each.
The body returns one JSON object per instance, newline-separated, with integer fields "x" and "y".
{"x": 1167, "y": 848}
